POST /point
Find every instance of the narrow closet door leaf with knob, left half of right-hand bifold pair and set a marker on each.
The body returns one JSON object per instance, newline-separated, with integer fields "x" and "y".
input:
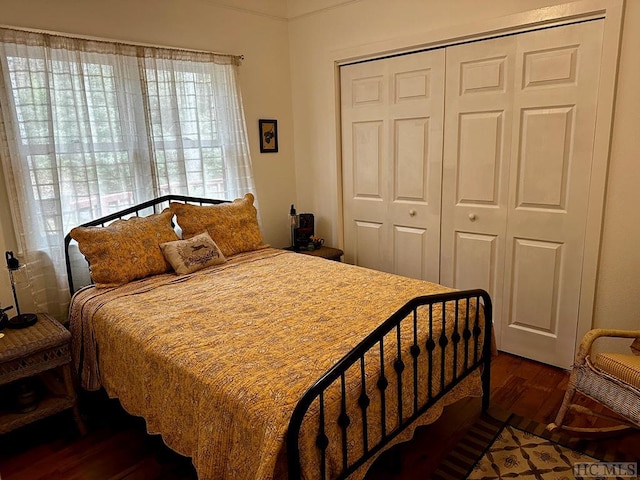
{"x": 477, "y": 155}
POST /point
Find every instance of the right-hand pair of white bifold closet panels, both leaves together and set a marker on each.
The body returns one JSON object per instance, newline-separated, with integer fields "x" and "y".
{"x": 517, "y": 166}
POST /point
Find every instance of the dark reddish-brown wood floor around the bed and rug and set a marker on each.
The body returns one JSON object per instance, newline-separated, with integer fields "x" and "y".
{"x": 117, "y": 446}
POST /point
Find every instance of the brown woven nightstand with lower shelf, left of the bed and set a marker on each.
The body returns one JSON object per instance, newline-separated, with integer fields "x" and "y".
{"x": 42, "y": 349}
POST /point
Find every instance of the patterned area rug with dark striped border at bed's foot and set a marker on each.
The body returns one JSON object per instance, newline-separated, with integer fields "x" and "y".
{"x": 501, "y": 445}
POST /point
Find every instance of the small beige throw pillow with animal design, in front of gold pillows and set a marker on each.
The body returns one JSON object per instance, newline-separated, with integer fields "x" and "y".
{"x": 196, "y": 253}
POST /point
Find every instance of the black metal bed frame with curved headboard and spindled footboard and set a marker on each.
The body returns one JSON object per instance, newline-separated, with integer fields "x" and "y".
{"x": 464, "y": 341}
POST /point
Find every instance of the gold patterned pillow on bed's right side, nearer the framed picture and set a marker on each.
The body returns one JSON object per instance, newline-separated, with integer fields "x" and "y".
{"x": 233, "y": 226}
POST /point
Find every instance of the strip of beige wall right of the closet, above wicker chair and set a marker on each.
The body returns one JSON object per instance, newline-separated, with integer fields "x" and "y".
{"x": 617, "y": 298}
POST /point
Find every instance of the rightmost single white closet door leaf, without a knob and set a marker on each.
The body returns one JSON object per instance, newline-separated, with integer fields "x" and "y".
{"x": 555, "y": 99}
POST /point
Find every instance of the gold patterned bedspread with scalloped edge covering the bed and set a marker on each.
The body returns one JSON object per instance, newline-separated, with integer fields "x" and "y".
{"x": 215, "y": 361}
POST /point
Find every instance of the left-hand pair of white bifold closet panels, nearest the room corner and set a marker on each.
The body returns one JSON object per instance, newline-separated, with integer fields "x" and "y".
{"x": 392, "y": 112}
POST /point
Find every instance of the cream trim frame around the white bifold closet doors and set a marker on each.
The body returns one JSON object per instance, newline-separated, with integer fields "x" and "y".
{"x": 611, "y": 11}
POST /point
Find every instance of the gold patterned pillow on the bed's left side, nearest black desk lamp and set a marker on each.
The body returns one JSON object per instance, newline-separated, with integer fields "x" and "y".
{"x": 126, "y": 250}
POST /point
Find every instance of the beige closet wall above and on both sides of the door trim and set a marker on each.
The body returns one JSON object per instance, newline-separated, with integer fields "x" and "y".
{"x": 316, "y": 41}
